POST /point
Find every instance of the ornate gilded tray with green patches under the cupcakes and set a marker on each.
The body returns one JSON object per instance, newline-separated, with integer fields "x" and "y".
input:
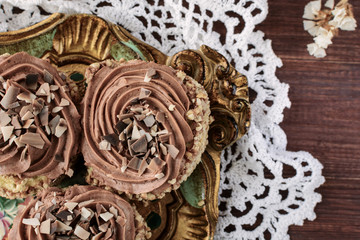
{"x": 72, "y": 42}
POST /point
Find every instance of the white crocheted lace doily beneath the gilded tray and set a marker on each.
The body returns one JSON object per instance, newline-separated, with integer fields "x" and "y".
{"x": 256, "y": 200}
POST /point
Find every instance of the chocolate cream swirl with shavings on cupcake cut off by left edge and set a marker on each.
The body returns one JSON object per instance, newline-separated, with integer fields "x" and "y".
{"x": 39, "y": 122}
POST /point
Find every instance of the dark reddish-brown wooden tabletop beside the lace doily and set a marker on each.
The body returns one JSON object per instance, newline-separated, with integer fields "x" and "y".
{"x": 324, "y": 118}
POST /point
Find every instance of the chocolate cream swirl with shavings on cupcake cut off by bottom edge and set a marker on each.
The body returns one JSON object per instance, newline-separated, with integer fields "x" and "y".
{"x": 80, "y": 212}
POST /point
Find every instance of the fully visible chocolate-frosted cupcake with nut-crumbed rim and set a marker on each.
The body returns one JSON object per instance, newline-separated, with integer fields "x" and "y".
{"x": 138, "y": 137}
